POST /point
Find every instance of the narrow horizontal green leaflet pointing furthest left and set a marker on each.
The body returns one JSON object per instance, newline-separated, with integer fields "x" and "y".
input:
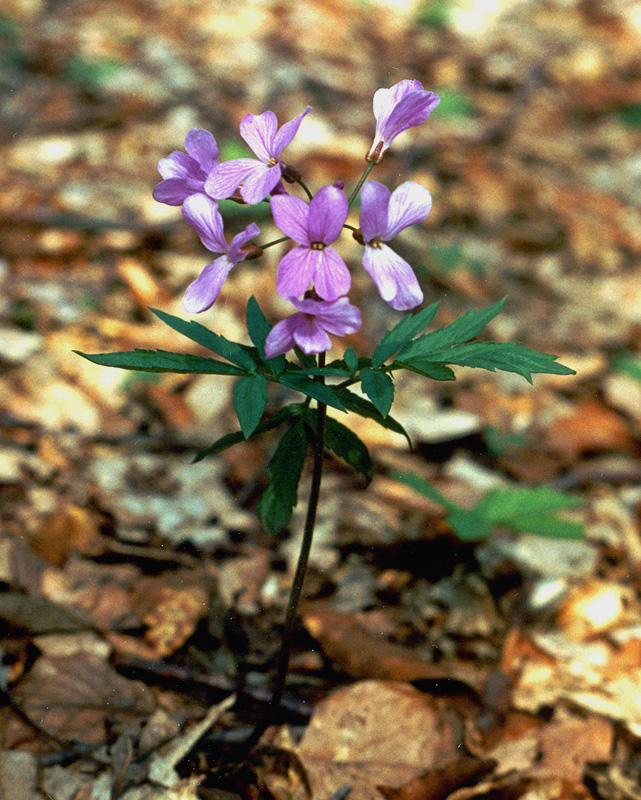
{"x": 162, "y": 361}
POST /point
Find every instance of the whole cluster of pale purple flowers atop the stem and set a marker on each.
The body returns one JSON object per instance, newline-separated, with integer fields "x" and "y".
{"x": 312, "y": 275}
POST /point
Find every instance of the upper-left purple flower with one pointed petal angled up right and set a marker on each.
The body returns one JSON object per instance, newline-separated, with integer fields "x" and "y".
{"x": 261, "y": 175}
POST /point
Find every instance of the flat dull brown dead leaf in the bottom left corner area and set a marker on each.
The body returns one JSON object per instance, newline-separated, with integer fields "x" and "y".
{"x": 74, "y": 698}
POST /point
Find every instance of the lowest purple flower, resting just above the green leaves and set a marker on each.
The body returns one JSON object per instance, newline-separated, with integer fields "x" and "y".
{"x": 308, "y": 329}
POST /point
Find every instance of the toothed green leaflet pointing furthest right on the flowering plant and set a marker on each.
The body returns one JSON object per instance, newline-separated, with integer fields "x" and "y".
{"x": 506, "y": 356}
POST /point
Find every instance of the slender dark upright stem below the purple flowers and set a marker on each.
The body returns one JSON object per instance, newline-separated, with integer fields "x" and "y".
{"x": 299, "y": 577}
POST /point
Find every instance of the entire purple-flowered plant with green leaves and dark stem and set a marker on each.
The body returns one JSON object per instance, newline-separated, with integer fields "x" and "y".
{"x": 315, "y": 279}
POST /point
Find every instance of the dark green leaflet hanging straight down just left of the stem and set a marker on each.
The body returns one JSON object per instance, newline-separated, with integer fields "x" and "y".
{"x": 285, "y": 468}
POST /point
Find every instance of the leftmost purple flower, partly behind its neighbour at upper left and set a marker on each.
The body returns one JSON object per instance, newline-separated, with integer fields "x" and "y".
{"x": 184, "y": 174}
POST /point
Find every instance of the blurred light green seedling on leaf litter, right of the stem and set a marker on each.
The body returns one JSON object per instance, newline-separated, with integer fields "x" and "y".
{"x": 518, "y": 509}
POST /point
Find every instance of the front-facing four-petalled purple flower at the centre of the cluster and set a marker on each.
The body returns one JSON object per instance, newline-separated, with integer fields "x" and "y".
{"x": 314, "y": 227}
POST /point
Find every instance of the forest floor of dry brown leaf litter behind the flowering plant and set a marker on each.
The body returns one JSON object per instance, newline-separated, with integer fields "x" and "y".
{"x": 140, "y": 600}
